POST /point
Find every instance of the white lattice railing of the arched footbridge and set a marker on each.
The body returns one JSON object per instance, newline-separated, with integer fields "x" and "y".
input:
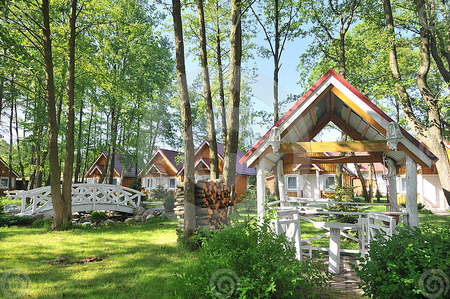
{"x": 85, "y": 197}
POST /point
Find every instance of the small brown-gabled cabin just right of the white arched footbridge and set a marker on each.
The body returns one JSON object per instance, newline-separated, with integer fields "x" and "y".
{"x": 162, "y": 169}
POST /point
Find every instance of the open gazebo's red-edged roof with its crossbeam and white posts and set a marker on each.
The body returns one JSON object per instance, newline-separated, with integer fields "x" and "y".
{"x": 372, "y": 132}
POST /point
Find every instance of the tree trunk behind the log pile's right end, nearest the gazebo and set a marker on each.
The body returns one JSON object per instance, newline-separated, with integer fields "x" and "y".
{"x": 229, "y": 171}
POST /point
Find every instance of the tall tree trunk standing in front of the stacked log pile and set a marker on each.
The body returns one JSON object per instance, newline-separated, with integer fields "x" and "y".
{"x": 189, "y": 180}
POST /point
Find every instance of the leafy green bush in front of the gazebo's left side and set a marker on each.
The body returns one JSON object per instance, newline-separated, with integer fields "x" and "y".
{"x": 247, "y": 260}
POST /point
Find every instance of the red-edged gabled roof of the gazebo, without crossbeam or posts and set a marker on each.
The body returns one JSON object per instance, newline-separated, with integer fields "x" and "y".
{"x": 333, "y": 99}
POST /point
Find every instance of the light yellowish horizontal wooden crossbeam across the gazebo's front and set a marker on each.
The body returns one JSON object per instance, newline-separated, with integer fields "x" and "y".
{"x": 334, "y": 146}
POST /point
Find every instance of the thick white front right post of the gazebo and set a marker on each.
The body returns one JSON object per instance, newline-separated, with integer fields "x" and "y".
{"x": 411, "y": 192}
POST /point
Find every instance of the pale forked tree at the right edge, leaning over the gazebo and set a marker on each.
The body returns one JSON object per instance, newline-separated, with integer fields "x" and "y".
{"x": 430, "y": 129}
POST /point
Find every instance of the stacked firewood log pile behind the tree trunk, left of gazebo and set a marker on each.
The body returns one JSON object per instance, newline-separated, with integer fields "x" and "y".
{"x": 212, "y": 199}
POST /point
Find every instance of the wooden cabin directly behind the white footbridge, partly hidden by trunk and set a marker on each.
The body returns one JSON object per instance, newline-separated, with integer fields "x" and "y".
{"x": 123, "y": 175}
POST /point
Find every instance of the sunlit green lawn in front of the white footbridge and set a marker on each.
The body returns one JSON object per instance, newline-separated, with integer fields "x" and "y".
{"x": 137, "y": 261}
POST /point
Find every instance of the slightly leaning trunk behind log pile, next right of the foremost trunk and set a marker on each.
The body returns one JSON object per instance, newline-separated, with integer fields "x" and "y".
{"x": 214, "y": 161}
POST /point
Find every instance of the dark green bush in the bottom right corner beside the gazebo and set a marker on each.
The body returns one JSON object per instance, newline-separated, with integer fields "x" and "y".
{"x": 414, "y": 263}
